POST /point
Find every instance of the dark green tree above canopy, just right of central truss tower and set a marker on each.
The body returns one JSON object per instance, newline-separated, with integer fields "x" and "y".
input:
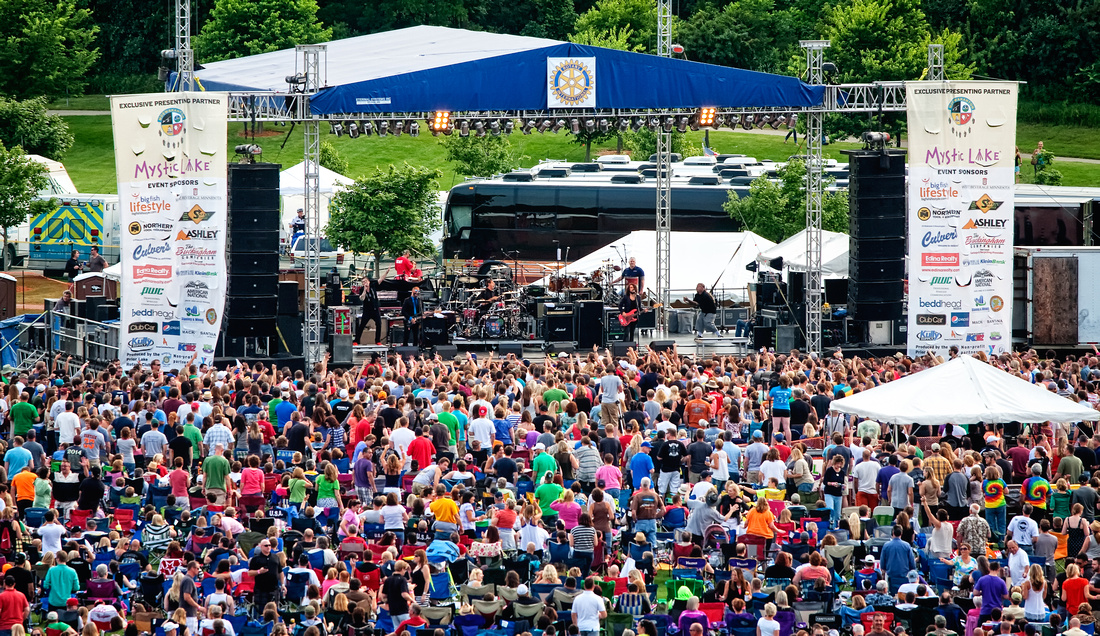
{"x": 753, "y": 35}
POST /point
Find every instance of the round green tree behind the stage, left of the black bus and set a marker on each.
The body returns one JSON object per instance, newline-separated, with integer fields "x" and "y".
{"x": 388, "y": 213}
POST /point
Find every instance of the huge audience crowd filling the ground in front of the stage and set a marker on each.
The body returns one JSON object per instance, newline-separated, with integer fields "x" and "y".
{"x": 645, "y": 495}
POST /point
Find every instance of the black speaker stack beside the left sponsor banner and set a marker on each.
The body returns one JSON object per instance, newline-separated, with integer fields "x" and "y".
{"x": 252, "y": 300}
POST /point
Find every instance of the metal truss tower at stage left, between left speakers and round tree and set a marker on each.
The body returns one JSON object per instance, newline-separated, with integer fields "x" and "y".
{"x": 312, "y": 328}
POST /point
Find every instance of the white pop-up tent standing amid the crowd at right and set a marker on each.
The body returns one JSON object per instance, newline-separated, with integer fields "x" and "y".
{"x": 964, "y": 391}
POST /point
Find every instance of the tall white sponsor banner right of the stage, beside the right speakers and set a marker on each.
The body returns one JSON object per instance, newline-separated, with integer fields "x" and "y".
{"x": 962, "y": 177}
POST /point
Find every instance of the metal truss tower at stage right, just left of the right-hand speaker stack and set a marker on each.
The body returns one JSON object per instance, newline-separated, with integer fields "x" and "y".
{"x": 816, "y": 194}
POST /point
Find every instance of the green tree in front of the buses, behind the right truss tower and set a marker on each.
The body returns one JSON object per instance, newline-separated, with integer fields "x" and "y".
{"x": 778, "y": 211}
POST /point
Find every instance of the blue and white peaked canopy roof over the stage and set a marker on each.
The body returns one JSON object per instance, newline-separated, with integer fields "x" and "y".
{"x": 427, "y": 69}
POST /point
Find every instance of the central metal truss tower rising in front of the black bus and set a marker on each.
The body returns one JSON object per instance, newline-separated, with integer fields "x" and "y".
{"x": 664, "y": 180}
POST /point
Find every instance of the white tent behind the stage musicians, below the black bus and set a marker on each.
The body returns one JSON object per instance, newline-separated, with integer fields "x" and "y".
{"x": 697, "y": 258}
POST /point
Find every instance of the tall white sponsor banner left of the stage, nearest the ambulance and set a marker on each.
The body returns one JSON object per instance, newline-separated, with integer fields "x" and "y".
{"x": 171, "y": 158}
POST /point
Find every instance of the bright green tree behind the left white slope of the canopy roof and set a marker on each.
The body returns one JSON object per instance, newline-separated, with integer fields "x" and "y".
{"x": 240, "y": 28}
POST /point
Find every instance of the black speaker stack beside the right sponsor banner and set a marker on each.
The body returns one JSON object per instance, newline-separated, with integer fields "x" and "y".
{"x": 877, "y": 234}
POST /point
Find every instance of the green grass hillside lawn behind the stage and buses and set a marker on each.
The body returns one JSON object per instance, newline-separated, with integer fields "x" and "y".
{"x": 92, "y": 160}
